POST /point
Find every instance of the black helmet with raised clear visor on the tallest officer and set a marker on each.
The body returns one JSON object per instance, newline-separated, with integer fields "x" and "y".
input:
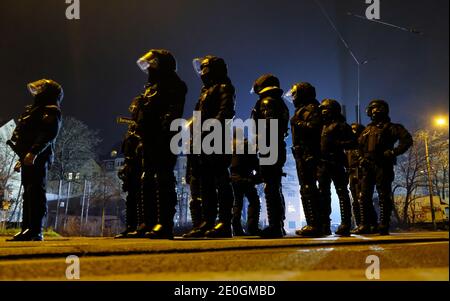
{"x": 158, "y": 61}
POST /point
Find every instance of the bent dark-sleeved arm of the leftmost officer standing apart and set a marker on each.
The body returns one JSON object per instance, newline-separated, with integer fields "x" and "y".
{"x": 50, "y": 124}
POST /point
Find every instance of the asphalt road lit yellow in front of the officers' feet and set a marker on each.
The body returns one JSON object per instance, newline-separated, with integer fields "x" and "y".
{"x": 422, "y": 256}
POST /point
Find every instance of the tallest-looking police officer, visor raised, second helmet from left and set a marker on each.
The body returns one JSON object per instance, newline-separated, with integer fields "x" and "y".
{"x": 160, "y": 104}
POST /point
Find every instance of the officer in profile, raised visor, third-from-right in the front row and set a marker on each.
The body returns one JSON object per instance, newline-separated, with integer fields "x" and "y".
{"x": 306, "y": 126}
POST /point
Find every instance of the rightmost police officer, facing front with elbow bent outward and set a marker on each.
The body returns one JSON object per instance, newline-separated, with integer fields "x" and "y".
{"x": 379, "y": 152}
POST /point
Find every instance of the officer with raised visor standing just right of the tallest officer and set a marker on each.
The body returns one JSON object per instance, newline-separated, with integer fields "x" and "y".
{"x": 217, "y": 101}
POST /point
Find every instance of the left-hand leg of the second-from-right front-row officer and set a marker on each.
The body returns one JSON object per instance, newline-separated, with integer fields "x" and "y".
{"x": 324, "y": 208}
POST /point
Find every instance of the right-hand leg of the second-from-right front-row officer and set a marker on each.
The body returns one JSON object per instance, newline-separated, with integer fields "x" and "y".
{"x": 340, "y": 181}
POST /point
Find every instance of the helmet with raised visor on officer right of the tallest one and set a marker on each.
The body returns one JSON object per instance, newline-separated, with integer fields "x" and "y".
{"x": 211, "y": 69}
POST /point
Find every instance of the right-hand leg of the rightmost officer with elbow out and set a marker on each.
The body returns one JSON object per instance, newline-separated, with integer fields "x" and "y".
{"x": 384, "y": 178}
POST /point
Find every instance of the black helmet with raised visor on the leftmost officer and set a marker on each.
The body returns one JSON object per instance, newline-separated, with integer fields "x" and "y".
{"x": 46, "y": 92}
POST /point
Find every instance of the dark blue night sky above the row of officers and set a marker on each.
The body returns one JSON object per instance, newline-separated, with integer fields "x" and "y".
{"x": 94, "y": 58}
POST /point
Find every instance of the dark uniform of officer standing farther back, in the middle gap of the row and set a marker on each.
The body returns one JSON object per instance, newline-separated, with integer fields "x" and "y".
{"x": 244, "y": 177}
